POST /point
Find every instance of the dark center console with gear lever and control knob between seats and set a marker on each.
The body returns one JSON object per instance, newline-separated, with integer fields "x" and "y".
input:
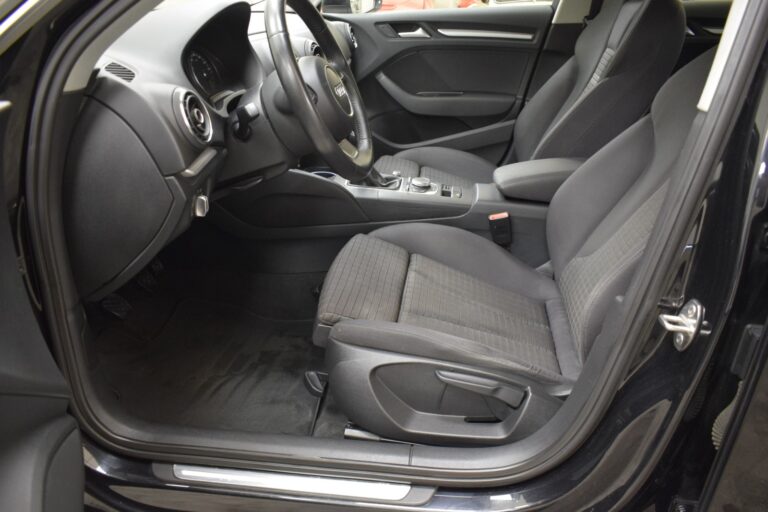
{"x": 320, "y": 203}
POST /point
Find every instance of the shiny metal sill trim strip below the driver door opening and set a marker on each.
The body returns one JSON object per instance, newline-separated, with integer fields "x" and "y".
{"x": 345, "y": 488}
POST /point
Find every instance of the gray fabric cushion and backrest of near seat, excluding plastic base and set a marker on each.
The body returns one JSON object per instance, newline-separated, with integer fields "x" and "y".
{"x": 459, "y": 297}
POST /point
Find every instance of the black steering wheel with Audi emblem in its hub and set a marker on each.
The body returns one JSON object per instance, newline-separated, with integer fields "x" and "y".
{"x": 321, "y": 91}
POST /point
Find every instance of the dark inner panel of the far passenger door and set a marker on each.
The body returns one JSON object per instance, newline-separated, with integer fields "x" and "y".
{"x": 447, "y": 77}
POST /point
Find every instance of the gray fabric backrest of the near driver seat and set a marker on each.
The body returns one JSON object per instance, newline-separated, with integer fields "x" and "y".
{"x": 600, "y": 219}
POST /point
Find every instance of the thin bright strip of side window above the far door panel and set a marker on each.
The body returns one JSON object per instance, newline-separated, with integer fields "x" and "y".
{"x": 369, "y": 6}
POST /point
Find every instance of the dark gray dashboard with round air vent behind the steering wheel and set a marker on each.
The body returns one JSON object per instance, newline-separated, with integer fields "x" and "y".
{"x": 153, "y": 143}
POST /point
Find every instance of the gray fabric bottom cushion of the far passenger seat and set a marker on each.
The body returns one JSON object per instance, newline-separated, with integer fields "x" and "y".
{"x": 441, "y": 165}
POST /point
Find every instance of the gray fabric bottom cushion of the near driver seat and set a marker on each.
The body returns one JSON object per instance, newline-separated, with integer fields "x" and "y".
{"x": 458, "y": 300}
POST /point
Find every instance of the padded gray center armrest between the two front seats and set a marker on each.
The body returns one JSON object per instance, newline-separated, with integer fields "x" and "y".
{"x": 534, "y": 180}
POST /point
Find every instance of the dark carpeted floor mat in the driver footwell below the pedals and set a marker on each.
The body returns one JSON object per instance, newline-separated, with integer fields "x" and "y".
{"x": 213, "y": 366}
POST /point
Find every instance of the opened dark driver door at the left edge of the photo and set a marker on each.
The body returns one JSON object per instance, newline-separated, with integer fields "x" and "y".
{"x": 41, "y": 464}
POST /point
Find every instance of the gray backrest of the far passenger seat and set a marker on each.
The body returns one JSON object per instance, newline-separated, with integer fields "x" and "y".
{"x": 620, "y": 61}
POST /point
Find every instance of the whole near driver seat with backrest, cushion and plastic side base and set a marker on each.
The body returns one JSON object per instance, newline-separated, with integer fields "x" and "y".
{"x": 434, "y": 334}
